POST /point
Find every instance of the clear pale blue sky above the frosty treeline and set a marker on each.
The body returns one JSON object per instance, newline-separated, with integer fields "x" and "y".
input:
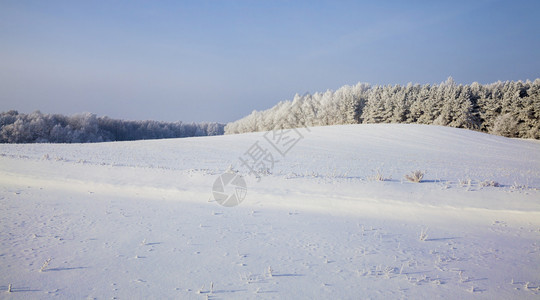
{"x": 218, "y": 61}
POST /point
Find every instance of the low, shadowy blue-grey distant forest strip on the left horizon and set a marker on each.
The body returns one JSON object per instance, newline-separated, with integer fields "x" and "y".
{"x": 88, "y": 128}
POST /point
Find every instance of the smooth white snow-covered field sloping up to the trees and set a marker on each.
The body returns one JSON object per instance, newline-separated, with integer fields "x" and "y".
{"x": 133, "y": 220}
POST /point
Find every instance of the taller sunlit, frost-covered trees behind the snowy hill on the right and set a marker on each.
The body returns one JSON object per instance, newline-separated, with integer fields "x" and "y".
{"x": 510, "y": 109}
